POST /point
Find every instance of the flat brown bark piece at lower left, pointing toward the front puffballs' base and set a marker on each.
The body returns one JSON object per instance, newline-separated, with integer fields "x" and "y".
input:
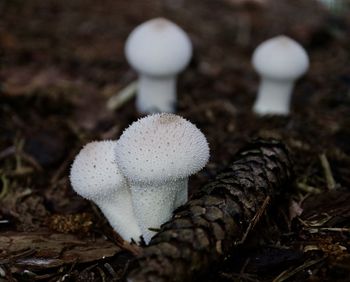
{"x": 42, "y": 250}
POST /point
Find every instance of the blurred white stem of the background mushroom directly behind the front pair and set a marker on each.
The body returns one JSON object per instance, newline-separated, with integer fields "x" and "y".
{"x": 156, "y": 94}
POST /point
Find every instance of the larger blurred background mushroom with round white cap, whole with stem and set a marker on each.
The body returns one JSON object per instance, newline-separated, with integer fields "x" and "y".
{"x": 158, "y": 50}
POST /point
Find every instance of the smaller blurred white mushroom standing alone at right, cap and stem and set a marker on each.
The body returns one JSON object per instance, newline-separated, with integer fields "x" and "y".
{"x": 279, "y": 61}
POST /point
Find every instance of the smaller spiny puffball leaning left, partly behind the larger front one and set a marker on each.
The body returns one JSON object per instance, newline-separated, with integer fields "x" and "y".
{"x": 95, "y": 176}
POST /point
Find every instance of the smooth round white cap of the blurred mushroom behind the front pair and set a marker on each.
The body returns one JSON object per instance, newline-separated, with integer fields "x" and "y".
{"x": 158, "y": 47}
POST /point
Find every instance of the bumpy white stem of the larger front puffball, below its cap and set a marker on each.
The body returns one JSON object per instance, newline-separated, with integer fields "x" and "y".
{"x": 154, "y": 205}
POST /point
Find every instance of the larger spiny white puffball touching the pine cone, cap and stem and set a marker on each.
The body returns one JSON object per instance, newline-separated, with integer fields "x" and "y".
{"x": 157, "y": 154}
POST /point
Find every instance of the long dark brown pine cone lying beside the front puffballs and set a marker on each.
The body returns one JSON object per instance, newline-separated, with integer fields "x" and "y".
{"x": 216, "y": 219}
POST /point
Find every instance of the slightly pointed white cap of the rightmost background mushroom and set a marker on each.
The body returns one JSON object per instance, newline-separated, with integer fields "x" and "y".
{"x": 280, "y": 58}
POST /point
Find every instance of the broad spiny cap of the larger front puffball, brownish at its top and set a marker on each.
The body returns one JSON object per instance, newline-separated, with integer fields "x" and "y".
{"x": 160, "y": 148}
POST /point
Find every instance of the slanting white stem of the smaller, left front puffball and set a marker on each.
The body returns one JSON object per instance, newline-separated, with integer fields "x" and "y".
{"x": 119, "y": 213}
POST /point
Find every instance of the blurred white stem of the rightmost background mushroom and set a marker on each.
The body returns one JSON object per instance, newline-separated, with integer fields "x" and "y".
{"x": 274, "y": 97}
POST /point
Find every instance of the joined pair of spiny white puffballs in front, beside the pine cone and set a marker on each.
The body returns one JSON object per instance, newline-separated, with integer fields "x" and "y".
{"x": 138, "y": 180}
